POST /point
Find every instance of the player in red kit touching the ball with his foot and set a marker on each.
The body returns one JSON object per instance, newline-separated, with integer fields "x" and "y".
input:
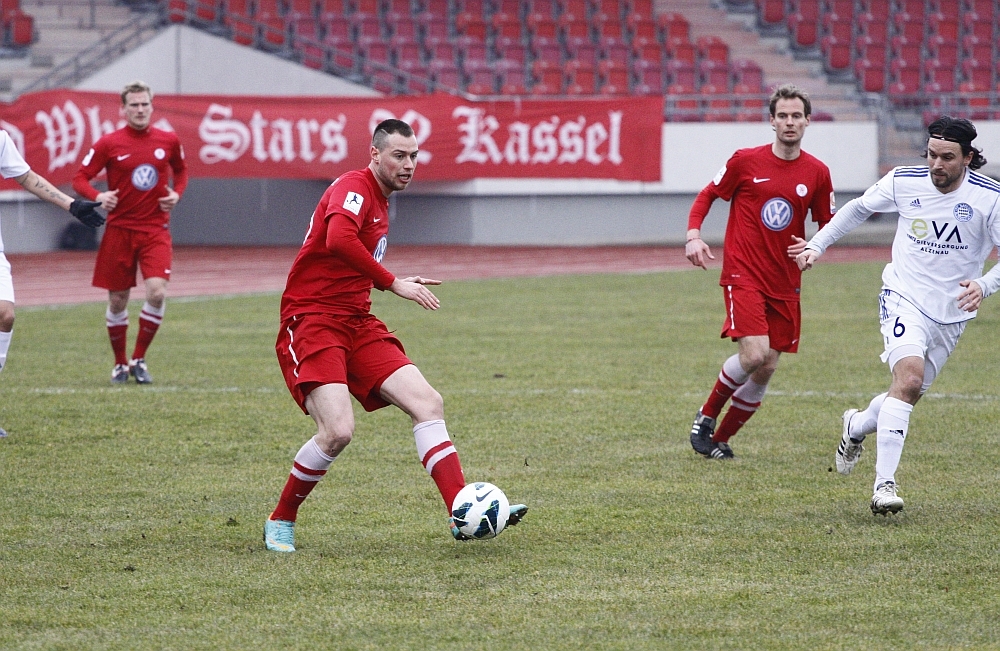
{"x": 330, "y": 346}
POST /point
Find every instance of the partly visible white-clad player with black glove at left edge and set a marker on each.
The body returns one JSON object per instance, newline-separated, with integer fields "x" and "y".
{"x": 12, "y": 166}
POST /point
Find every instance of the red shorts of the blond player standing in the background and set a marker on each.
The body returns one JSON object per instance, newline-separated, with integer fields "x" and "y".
{"x": 123, "y": 251}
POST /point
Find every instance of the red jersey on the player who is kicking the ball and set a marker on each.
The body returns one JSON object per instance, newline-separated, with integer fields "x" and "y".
{"x": 341, "y": 258}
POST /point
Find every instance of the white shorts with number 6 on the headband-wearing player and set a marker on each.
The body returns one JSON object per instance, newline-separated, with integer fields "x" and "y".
{"x": 907, "y": 332}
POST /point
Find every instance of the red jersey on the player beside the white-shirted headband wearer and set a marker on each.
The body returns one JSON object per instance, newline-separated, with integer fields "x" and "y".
{"x": 769, "y": 199}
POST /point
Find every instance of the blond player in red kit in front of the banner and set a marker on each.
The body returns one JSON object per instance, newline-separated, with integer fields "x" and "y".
{"x": 139, "y": 159}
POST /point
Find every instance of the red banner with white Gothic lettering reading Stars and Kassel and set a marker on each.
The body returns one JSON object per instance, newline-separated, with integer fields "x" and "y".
{"x": 322, "y": 137}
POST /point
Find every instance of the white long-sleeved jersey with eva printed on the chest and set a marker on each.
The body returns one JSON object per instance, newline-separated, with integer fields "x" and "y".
{"x": 941, "y": 239}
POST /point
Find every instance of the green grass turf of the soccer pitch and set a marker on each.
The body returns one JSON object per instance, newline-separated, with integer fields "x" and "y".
{"x": 132, "y": 515}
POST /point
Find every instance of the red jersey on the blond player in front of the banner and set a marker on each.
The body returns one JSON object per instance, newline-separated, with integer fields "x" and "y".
{"x": 138, "y": 163}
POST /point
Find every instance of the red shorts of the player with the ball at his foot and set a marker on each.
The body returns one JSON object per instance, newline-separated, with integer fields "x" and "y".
{"x": 359, "y": 351}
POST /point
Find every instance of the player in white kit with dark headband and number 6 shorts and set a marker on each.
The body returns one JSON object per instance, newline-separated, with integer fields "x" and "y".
{"x": 949, "y": 222}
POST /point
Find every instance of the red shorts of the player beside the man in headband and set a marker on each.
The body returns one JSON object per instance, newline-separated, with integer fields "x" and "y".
{"x": 750, "y": 313}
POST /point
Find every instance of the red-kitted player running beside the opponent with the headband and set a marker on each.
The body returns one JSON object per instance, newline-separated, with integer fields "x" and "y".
{"x": 771, "y": 188}
